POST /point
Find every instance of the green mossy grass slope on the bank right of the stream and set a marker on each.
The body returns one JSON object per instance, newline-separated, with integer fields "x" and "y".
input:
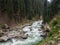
{"x": 54, "y": 34}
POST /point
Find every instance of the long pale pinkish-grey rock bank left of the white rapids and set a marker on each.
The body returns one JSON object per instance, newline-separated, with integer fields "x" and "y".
{"x": 12, "y": 34}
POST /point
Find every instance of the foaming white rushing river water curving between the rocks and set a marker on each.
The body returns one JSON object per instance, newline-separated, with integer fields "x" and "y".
{"x": 34, "y": 35}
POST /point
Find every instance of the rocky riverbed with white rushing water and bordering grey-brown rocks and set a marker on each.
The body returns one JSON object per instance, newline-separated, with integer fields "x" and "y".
{"x": 25, "y": 35}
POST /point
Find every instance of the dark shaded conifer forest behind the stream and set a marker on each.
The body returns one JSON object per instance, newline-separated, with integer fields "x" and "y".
{"x": 18, "y": 10}
